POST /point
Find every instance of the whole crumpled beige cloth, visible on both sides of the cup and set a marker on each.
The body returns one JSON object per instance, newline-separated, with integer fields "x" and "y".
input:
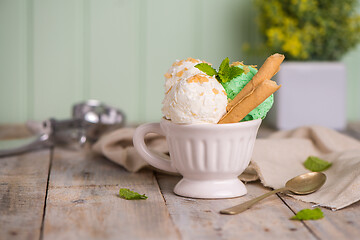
{"x": 275, "y": 160}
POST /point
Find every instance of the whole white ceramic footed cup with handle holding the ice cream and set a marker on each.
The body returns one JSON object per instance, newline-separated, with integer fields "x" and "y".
{"x": 210, "y": 157}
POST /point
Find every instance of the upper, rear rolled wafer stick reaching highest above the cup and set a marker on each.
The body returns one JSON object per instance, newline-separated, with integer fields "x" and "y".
{"x": 270, "y": 67}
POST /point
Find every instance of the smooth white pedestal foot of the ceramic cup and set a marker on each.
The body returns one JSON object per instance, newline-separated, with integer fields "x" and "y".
{"x": 228, "y": 188}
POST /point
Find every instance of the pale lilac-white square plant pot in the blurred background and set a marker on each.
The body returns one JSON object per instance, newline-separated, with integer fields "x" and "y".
{"x": 312, "y": 93}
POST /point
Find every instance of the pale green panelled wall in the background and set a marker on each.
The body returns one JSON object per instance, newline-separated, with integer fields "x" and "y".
{"x": 54, "y": 53}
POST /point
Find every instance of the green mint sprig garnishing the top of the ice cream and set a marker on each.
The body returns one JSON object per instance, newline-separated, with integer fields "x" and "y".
{"x": 225, "y": 73}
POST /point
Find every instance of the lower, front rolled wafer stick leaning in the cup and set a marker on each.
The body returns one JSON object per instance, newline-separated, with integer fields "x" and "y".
{"x": 248, "y": 103}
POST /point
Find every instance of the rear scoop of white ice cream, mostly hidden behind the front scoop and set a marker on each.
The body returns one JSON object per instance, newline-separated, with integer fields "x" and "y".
{"x": 181, "y": 70}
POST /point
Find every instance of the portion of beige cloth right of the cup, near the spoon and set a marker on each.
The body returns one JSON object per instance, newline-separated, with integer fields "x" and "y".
{"x": 281, "y": 156}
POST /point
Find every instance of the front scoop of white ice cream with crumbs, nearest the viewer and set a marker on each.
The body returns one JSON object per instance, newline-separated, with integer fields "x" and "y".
{"x": 197, "y": 99}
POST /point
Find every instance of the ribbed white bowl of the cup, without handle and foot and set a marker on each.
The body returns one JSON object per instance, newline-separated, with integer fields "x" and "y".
{"x": 199, "y": 150}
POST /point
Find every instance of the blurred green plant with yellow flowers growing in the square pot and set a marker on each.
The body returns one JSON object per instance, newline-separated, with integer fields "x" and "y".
{"x": 310, "y": 29}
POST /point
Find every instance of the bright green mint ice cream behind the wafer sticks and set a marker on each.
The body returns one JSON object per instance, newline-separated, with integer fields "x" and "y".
{"x": 234, "y": 86}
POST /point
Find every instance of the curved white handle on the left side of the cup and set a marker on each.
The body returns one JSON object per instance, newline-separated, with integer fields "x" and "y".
{"x": 155, "y": 160}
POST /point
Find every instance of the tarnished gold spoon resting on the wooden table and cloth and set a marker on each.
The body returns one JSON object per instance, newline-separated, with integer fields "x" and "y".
{"x": 302, "y": 184}
